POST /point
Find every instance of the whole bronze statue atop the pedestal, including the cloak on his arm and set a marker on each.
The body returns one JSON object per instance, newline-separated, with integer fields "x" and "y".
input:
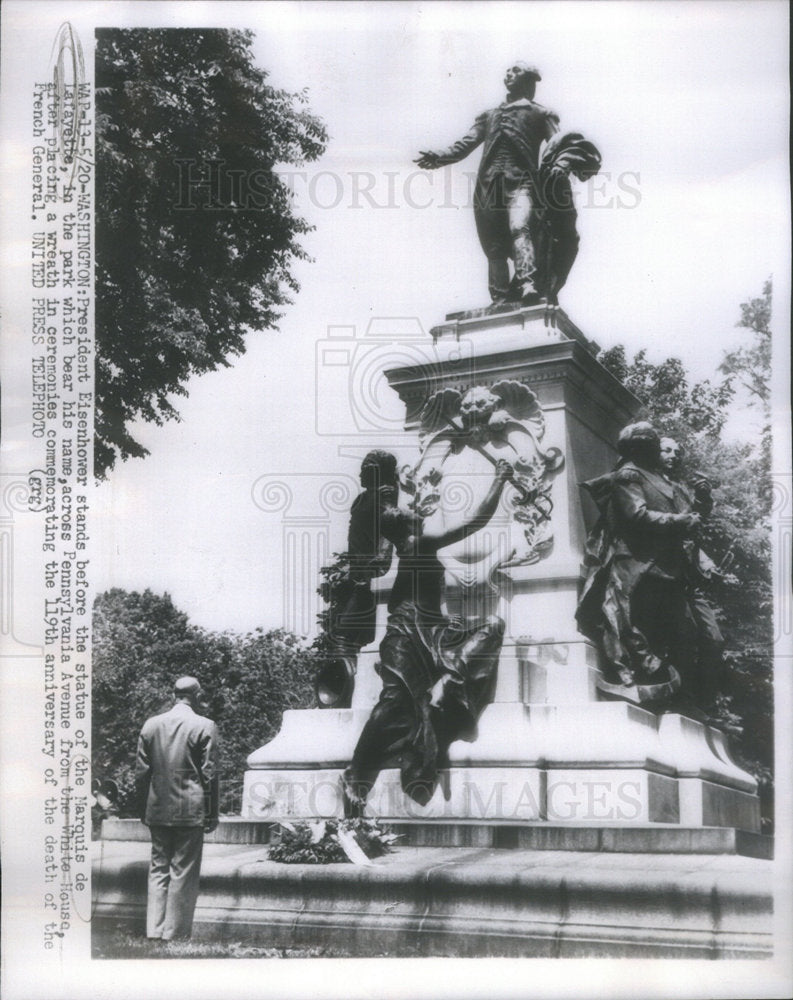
{"x": 523, "y": 202}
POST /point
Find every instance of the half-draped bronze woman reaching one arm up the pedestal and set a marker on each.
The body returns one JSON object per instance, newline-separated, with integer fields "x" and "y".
{"x": 438, "y": 675}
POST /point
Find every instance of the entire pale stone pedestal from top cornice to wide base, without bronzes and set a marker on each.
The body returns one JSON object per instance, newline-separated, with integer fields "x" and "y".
{"x": 548, "y": 749}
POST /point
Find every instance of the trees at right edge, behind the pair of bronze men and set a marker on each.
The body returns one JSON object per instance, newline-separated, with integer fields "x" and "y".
{"x": 738, "y": 535}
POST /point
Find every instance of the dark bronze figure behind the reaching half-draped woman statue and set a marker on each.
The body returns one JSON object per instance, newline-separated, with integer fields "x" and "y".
{"x": 347, "y": 586}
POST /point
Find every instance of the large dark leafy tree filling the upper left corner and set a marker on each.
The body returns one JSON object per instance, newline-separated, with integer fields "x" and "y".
{"x": 196, "y": 234}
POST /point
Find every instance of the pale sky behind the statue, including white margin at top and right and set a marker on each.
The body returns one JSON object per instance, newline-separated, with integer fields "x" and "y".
{"x": 688, "y": 105}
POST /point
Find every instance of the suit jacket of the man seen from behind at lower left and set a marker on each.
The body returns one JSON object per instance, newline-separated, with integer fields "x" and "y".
{"x": 176, "y": 774}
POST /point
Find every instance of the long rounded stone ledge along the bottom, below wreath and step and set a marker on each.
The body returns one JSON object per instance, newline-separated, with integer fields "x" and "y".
{"x": 465, "y": 902}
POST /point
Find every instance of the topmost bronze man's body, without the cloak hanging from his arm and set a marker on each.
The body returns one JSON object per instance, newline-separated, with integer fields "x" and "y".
{"x": 507, "y": 182}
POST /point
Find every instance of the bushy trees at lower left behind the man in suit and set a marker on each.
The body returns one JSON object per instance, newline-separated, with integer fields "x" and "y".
{"x": 142, "y": 643}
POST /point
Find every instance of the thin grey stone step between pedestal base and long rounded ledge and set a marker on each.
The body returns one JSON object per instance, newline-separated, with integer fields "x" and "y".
{"x": 655, "y": 838}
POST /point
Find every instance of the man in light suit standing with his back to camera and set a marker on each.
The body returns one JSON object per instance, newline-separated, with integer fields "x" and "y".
{"x": 177, "y": 783}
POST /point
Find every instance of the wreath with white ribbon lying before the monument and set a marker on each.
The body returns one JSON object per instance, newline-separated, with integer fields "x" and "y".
{"x": 328, "y": 841}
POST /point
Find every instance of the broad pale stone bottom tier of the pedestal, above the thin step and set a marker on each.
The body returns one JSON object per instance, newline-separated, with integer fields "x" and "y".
{"x": 608, "y": 762}
